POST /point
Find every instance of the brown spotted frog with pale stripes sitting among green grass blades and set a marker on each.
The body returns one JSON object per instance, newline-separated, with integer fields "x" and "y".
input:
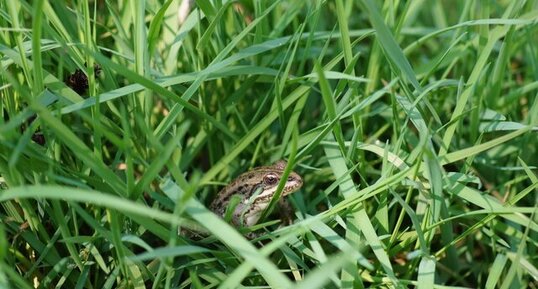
{"x": 255, "y": 189}
